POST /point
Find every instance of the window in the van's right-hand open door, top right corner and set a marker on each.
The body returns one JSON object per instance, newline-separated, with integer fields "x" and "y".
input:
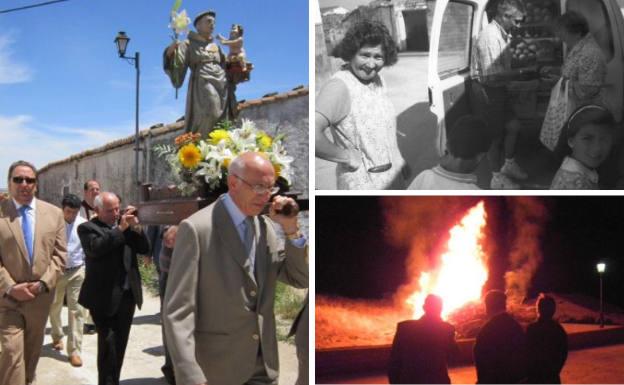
{"x": 598, "y": 20}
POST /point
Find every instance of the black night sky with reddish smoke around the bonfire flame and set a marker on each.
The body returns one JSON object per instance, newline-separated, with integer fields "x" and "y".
{"x": 357, "y": 258}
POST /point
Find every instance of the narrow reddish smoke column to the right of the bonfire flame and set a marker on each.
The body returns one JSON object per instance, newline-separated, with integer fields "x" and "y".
{"x": 529, "y": 216}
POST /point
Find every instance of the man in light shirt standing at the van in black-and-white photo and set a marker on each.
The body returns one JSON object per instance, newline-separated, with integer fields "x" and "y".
{"x": 491, "y": 70}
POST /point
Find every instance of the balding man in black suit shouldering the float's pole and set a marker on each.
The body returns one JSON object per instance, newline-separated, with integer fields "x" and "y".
{"x": 112, "y": 285}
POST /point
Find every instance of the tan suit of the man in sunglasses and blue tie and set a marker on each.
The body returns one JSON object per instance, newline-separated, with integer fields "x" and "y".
{"x": 22, "y": 324}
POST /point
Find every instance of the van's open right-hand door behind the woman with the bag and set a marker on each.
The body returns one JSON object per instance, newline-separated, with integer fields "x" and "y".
{"x": 607, "y": 27}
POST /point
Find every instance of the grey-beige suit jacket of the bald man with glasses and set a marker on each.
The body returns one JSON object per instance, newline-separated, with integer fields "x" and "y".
{"x": 216, "y": 314}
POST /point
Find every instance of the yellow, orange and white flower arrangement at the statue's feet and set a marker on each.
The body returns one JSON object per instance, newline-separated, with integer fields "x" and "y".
{"x": 197, "y": 161}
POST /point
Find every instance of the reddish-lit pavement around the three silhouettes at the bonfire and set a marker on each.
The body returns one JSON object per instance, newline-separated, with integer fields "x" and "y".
{"x": 603, "y": 365}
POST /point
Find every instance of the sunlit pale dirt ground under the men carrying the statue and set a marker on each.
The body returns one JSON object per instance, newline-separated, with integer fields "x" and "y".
{"x": 144, "y": 355}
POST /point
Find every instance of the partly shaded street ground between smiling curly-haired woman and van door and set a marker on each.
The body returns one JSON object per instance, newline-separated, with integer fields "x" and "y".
{"x": 406, "y": 83}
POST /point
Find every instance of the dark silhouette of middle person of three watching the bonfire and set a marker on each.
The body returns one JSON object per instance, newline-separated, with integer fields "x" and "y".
{"x": 500, "y": 347}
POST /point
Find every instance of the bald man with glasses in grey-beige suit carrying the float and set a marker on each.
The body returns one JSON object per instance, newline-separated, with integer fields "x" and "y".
{"x": 218, "y": 310}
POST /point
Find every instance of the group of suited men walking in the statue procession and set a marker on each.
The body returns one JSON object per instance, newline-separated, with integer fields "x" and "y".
{"x": 222, "y": 264}
